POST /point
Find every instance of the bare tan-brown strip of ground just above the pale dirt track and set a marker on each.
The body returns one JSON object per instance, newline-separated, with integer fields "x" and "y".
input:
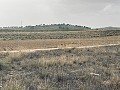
{"x": 56, "y": 43}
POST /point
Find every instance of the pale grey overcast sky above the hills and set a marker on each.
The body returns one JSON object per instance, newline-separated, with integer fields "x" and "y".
{"x": 92, "y": 13}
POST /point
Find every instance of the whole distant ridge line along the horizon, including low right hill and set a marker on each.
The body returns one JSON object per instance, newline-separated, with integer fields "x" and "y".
{"x": 56, "y": 27}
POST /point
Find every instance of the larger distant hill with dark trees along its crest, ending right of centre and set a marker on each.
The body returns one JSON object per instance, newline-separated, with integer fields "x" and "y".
{"x": 49, "y": 27}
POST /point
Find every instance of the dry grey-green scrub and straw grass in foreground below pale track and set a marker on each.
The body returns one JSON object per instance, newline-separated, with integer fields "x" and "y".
{"x": 63, "y": 69}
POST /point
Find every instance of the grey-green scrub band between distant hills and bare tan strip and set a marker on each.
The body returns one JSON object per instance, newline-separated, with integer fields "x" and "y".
{"x": 56, "y": 35}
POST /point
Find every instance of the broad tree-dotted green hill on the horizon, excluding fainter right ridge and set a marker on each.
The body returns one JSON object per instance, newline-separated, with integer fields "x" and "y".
{"x": 43, "y": 27}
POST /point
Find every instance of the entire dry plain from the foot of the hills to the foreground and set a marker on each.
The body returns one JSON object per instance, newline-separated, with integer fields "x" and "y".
{"x": 69, "y": 63}
